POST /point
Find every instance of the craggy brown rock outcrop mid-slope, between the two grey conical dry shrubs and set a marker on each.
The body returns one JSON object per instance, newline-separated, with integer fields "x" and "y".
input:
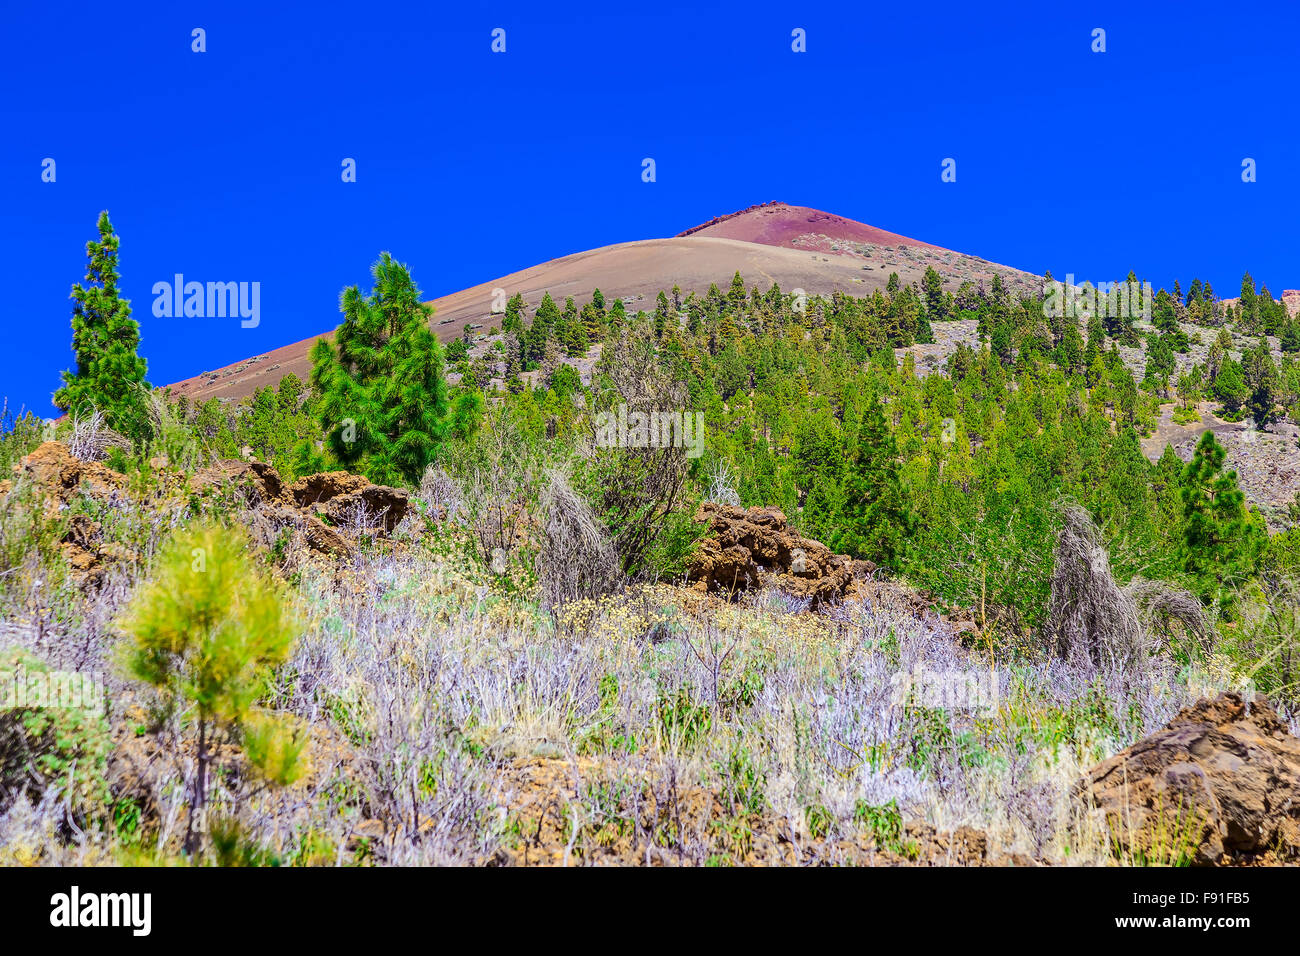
{"x": 756, "y": 548}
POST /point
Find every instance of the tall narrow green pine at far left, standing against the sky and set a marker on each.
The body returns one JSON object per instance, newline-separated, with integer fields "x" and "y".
{"x": 110, "y": 374}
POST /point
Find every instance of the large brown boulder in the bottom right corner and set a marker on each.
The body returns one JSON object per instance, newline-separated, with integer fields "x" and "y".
{"x": 1220, "y": 784}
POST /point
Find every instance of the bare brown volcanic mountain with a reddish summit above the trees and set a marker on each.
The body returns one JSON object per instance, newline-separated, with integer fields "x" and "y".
{"x": 794, "y": 246}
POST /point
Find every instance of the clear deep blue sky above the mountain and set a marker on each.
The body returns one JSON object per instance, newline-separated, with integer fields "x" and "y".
{"x": 226, "y": 166}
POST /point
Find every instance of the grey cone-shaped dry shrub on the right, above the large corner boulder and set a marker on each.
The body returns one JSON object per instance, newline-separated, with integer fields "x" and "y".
{"x": 1091, "y": 620}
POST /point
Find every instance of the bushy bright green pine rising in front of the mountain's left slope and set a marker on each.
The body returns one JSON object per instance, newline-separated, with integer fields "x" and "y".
{"x": 384, "y": 396}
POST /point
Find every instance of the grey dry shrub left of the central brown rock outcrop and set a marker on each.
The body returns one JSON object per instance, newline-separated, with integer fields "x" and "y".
{"x": 577, "y": 559}
